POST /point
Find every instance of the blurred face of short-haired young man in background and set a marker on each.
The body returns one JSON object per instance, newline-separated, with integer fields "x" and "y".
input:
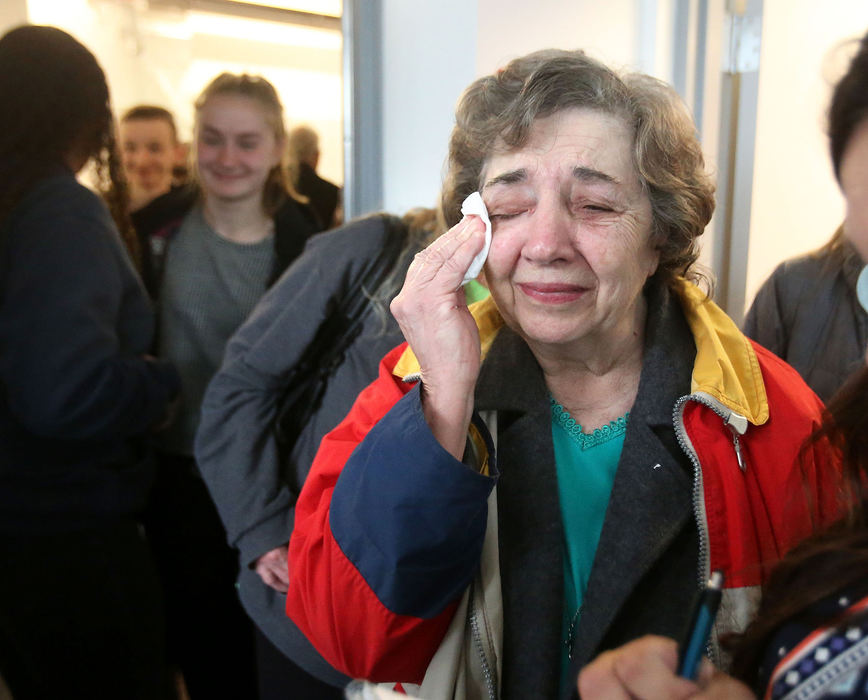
{"x": 149, "y": 152}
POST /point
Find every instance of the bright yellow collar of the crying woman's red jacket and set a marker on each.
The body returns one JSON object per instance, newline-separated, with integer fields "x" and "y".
{"x": 726, "y": 365}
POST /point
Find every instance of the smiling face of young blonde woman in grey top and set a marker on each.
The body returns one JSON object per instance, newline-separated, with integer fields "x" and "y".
{"x": 235, "y": 148}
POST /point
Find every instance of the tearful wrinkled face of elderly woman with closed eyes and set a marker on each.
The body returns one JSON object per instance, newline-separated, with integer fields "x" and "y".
{"x": 571, "y": 247}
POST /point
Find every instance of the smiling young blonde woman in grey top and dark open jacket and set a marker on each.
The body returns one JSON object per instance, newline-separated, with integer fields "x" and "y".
{"x": 214, "y": 264}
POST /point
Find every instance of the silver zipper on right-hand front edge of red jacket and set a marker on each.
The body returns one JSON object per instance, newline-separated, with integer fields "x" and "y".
{"x": 737, "y": 425}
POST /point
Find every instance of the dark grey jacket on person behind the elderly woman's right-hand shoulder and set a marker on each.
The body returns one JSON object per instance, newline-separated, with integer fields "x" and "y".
{"x": 807, "y": 313}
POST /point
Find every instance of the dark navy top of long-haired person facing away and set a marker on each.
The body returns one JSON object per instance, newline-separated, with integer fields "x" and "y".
{"x": 77, "y": 394}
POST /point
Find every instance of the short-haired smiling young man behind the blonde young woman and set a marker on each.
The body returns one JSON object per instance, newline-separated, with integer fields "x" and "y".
{"x": 151, "y": 157}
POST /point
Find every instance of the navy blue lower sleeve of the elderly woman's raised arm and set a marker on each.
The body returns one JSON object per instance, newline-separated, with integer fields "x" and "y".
{"x": 409, "y": 516}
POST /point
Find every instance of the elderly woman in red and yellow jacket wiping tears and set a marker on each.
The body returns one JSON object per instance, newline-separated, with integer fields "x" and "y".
{"x": 555, "y": 470}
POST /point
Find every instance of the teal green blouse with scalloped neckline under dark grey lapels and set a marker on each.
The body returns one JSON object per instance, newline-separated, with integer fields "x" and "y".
{"x": 586, "y": 465}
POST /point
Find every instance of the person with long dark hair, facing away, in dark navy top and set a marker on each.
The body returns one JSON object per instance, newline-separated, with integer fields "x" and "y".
{"x": 80, "y": 612}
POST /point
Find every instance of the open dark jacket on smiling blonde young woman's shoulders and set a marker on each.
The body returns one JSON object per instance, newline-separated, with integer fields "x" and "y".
{"x": 158, "y": 222}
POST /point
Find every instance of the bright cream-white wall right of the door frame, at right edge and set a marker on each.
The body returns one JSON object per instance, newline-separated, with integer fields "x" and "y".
{"x": 796, "y": 205}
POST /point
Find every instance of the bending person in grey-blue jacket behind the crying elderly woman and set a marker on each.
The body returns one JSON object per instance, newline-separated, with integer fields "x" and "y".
{"x": 253, "y": 475}
